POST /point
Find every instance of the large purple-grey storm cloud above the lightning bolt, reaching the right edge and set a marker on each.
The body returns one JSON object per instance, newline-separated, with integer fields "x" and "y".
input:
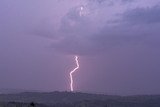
{"x": 101, "y": 27}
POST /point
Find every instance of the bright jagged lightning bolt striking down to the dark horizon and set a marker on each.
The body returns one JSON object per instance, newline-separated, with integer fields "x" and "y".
{"x": 71, "y": 77}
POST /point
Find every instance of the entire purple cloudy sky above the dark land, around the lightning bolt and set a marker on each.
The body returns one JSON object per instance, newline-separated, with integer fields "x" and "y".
{"x": 118, "y": 42}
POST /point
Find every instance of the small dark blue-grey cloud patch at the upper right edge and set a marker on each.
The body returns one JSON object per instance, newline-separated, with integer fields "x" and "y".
{"x": 143, "y": 15}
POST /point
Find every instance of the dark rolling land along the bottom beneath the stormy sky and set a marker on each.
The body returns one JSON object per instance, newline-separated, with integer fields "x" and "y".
{"x": 68, "y": 99}
